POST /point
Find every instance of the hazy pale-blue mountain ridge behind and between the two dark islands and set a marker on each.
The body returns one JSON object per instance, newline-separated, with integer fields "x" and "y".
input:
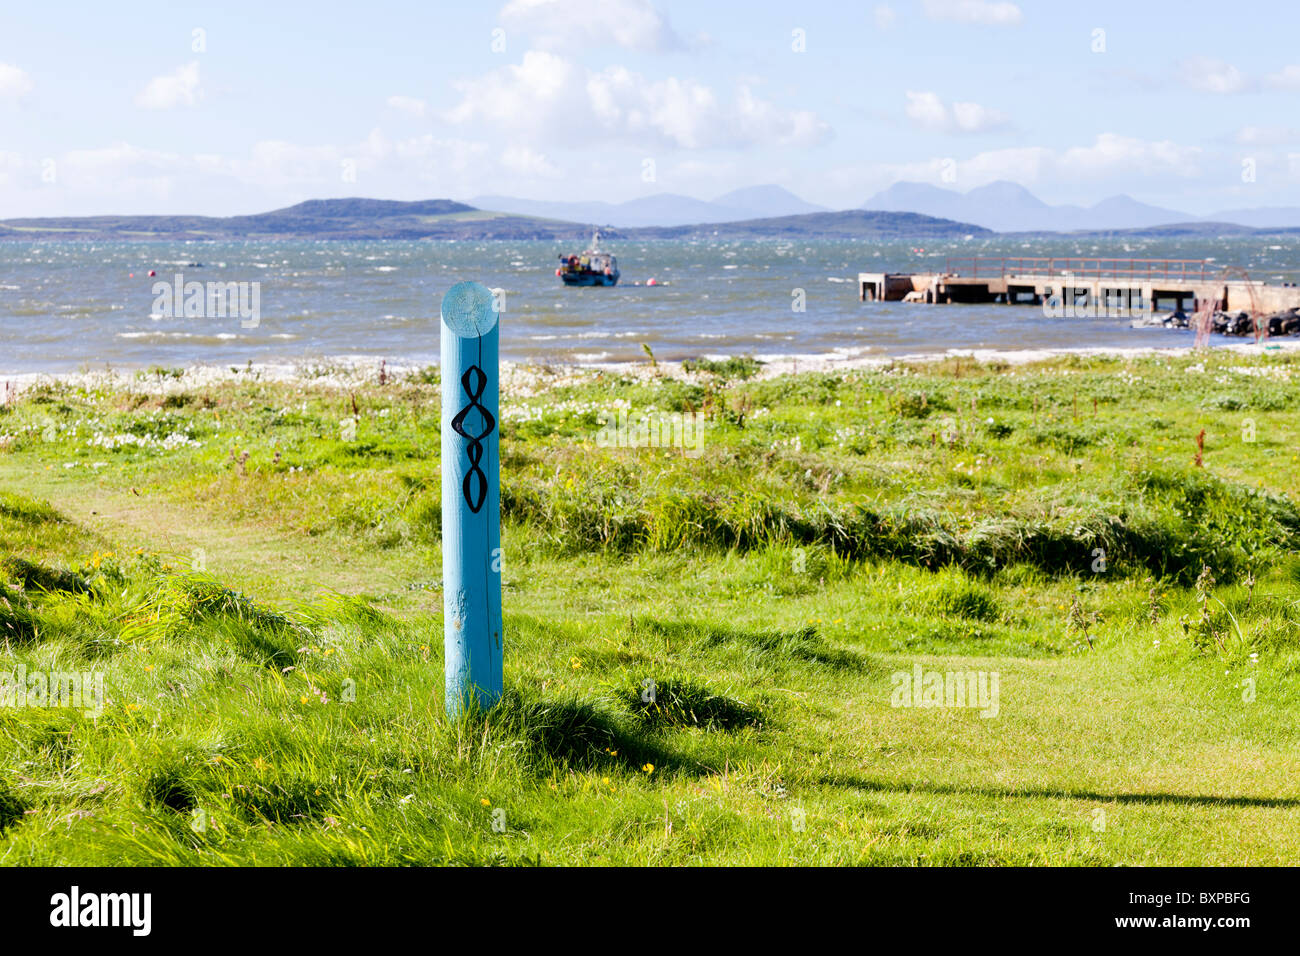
{"x": 660, "y": 210}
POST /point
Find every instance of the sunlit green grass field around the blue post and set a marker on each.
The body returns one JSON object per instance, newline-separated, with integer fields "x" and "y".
{"x": 261, "y": 590}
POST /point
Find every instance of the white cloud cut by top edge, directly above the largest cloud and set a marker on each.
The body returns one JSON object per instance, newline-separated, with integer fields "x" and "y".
{"x": 561, "y": 24}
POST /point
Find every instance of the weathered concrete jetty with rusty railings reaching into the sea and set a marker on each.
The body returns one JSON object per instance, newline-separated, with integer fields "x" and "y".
{"x": 1180, "y": 284}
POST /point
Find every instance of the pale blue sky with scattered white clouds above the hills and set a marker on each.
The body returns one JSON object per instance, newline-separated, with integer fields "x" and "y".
{"x": 235, "y": 107}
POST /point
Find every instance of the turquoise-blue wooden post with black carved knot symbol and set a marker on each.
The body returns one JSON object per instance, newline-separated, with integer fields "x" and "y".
{"x": 471, "y": 499}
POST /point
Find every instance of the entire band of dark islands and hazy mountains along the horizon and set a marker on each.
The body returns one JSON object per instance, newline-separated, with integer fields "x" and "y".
{"x": 904, "y": 210}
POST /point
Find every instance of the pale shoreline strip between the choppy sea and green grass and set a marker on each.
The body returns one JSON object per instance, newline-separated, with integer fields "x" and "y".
{"x": 352, "y": 371}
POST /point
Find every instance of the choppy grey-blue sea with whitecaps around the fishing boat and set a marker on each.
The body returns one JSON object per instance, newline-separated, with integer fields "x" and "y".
{"x": 75, "y": 306}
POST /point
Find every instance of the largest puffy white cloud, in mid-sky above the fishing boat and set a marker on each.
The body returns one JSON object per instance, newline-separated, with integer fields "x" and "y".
{"x": 549, "y": 98}
